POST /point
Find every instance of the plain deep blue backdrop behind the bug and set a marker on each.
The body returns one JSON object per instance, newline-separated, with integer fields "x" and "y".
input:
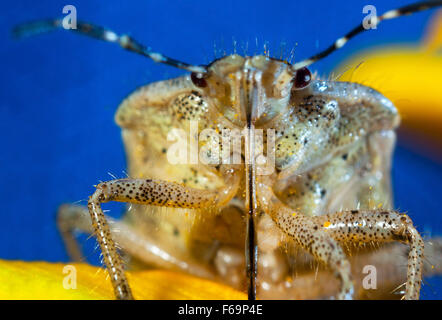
{"x": 59, "y": 93}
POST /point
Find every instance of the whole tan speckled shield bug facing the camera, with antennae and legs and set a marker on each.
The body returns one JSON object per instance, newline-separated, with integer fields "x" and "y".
{"x": 260, "y": 156}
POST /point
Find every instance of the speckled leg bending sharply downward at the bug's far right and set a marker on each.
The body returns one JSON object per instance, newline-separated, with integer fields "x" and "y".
{"x": 359, "y": 226}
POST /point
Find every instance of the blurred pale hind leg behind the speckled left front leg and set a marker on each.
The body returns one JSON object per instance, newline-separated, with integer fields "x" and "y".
{"x": 76, "y": 218}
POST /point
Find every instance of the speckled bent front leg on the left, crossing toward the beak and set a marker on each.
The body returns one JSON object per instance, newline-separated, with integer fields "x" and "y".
{"x": 149, "y": 192}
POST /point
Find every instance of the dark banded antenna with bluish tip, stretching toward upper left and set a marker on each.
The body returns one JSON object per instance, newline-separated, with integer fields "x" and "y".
{"x": 97, "y": 32}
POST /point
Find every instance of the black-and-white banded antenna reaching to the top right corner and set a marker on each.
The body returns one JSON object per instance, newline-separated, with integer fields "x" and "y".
{"x": 392, "y": 14}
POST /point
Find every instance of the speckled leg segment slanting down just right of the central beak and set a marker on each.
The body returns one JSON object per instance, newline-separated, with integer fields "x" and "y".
{"x": 310, "y": 237}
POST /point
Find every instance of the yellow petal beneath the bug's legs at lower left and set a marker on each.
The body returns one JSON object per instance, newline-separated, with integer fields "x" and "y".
{"x": 42, "y": 280}
